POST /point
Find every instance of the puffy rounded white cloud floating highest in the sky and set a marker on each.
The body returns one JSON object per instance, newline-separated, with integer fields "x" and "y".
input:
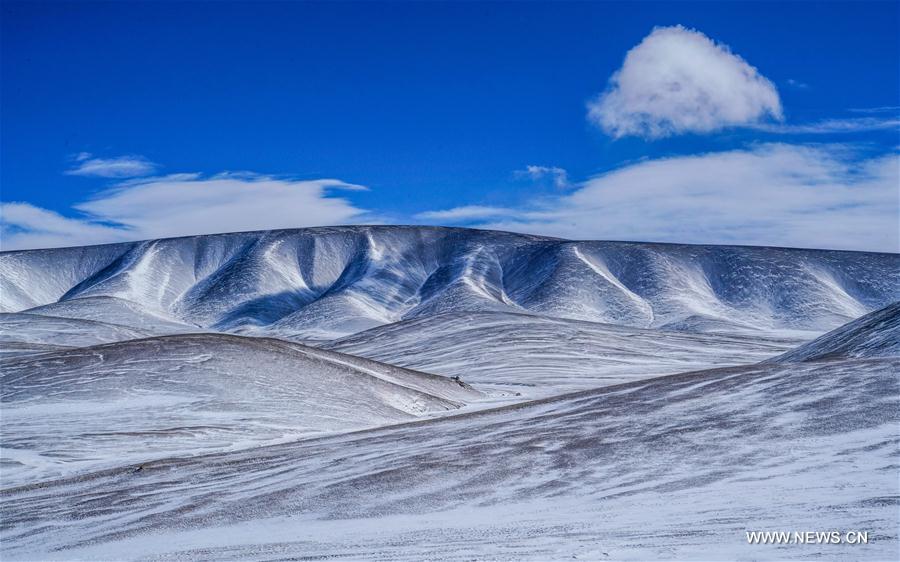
{"x": 678, "y": 80}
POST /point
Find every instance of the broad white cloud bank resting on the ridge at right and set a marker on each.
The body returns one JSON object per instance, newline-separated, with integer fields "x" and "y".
{"x": 770, "y": 195}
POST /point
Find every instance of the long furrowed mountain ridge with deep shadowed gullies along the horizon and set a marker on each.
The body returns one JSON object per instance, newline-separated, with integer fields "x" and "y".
{"x": 324, "y": 283}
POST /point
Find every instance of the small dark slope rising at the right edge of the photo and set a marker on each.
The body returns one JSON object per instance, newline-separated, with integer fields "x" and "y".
{"x": 876, "y": 334}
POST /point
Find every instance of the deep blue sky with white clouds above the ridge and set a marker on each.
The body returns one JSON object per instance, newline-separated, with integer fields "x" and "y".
{"x": 751, "y": 123}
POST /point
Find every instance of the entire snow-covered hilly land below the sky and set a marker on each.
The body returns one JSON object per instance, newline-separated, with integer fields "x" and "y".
{"x": 287, "y": 394}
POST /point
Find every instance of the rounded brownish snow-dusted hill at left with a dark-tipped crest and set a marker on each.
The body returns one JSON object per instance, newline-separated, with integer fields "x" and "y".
{"x": 67, "y": 411}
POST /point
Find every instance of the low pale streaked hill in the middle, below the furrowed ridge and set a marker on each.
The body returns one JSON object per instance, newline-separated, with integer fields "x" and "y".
{"x": 540, "y": 356}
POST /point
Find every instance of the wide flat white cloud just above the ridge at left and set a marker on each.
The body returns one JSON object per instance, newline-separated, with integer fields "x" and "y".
{"x": 182, "y": 204}
